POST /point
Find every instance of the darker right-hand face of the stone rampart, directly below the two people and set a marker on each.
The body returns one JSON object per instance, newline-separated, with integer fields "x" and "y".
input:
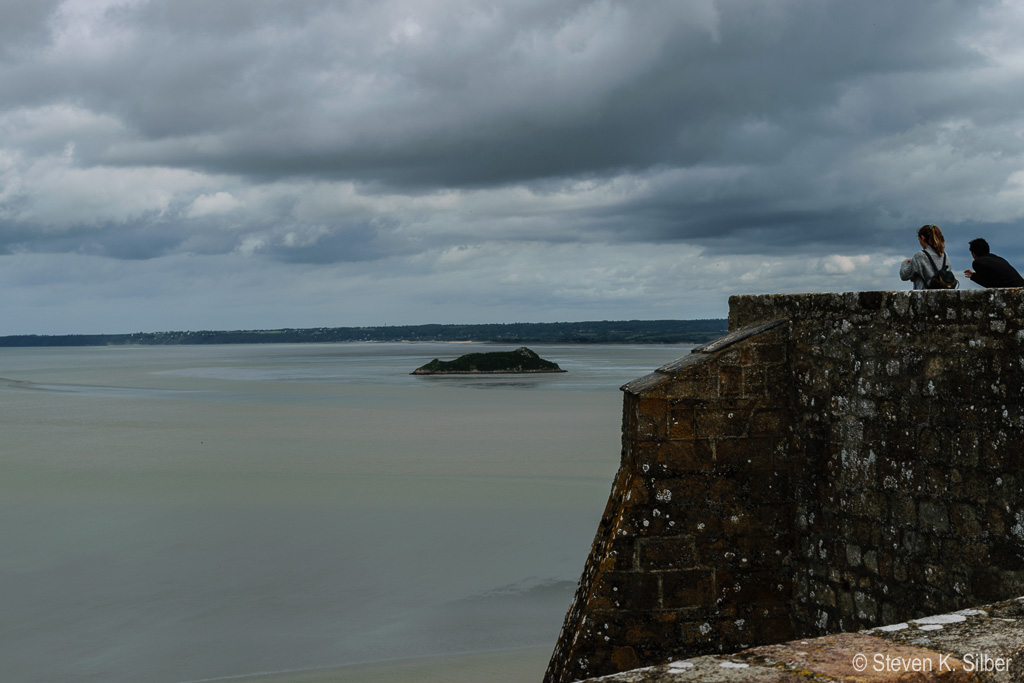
{"x": 910, "y": 407}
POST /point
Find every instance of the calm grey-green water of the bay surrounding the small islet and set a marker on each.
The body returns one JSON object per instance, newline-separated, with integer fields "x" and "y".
{"x": 178, "y": 515}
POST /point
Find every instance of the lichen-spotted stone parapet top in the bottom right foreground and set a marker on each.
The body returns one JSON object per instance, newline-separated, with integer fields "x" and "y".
{"x": 982, "y": 645}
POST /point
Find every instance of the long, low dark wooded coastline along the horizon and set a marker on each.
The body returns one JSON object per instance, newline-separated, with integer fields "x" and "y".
{"x": 595, "y": 332}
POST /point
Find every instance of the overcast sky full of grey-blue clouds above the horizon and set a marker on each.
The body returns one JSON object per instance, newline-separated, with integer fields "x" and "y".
{"x": 252, "y": 164}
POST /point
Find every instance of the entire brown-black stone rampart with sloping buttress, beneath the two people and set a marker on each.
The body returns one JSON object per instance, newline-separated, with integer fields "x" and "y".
{"x": 839, "y": 461}
